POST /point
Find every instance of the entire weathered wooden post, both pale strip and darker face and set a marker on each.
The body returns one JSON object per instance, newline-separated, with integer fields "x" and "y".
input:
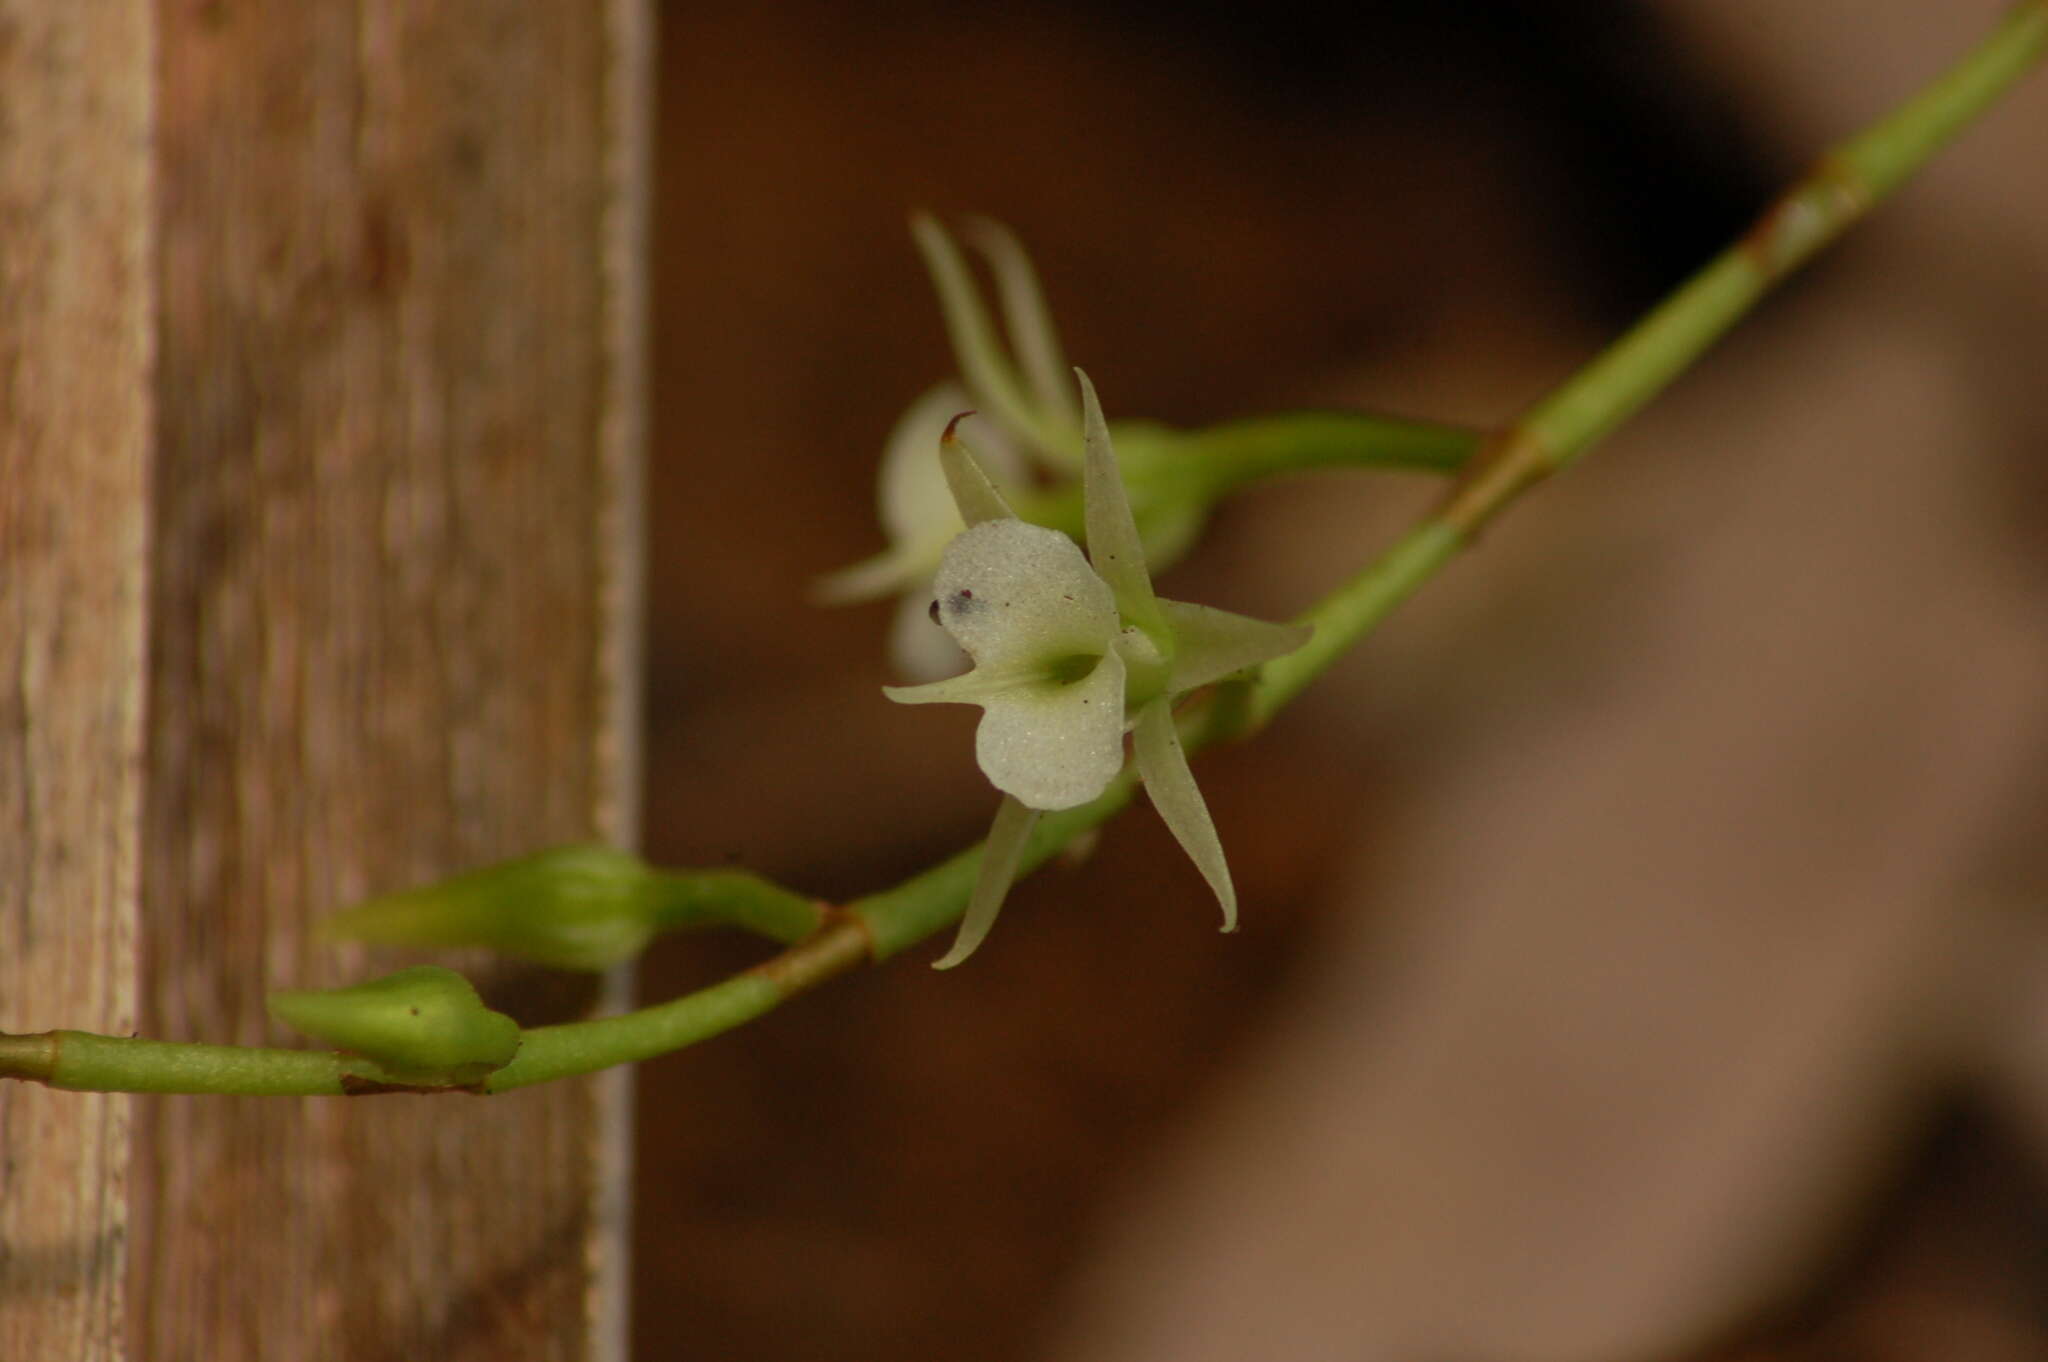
{"x": 314, "y": 534}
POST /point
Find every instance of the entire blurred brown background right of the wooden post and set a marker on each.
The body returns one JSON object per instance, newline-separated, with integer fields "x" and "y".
{"x": 1437, "y": 214}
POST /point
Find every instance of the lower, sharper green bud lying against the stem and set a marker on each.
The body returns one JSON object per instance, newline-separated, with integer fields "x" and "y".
{"x": 423, "y": 1023}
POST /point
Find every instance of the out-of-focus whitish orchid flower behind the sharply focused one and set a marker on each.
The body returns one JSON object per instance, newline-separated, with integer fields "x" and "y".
{"x": 1035, "y": 423}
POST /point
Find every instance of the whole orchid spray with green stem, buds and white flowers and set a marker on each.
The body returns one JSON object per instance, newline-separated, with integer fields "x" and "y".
{"x": 1070, "y": 654}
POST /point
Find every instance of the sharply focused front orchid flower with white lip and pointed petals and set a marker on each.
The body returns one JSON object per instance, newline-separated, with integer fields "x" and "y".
{"x": 1068, "y": 656}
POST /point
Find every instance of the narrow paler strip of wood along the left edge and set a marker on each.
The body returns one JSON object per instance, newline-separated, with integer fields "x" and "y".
{"x": 75, "y": 419}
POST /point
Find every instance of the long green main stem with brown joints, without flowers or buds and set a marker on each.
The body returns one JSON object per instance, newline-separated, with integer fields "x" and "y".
{"x": 1549, "y": 437}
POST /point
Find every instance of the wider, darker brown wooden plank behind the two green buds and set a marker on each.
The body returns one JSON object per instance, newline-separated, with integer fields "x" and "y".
{"x": 388, "y": 640}
